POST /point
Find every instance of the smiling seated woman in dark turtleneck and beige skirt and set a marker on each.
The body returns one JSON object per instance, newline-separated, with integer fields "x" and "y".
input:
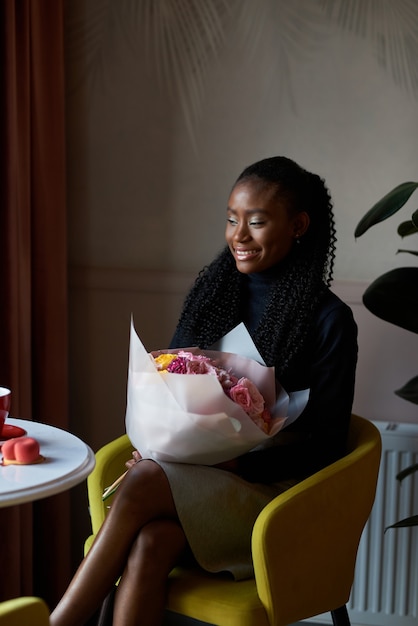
{"x": 165, "y": 512}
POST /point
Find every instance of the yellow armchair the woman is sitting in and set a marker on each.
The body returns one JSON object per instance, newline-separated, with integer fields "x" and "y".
{"x": 304, "y": 542}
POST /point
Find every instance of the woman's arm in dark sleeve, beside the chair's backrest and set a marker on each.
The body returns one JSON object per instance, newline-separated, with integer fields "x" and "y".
{"x": 318, "y": 437}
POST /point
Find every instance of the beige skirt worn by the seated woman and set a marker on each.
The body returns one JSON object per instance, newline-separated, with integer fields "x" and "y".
{"x": 217, "y": 511}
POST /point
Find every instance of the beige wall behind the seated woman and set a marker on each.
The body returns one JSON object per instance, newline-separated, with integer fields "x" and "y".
{"x": 148, "y": 181}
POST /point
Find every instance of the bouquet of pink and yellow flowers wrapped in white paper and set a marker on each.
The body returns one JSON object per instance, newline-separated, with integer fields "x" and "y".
{"x": 200, "y": 407}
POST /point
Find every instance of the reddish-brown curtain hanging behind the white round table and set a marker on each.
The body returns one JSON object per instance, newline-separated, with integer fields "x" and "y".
{"x": 35, "y": 539}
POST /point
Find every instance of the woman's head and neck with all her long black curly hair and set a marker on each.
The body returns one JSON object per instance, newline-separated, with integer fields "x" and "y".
{"x": 280, "y": 234}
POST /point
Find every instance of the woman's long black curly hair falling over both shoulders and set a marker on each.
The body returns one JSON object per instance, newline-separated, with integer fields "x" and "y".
{"x": 214, "y": 304}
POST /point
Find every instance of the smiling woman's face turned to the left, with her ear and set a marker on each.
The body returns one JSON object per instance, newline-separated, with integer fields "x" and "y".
{"x": 260, "y": 231}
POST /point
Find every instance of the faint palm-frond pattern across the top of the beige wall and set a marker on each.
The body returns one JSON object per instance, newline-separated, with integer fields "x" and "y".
{"x": 181, "y": 39}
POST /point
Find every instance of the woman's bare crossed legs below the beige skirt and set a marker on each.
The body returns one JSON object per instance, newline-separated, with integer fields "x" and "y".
{"x": 141, "y": 539}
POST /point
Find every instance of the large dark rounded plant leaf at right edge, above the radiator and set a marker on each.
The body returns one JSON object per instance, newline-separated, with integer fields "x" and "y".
{"x": 393, "y": 297}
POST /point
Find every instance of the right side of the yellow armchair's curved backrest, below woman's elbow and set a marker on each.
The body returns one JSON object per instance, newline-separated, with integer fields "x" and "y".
{"x": 305, "y": 541}
